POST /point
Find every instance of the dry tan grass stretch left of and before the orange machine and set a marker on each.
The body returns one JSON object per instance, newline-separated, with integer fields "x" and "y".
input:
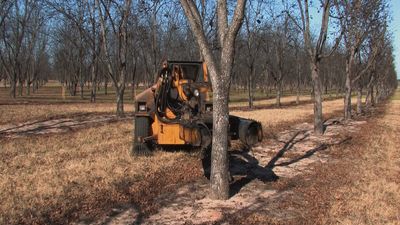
{"x": 59, "y": 178}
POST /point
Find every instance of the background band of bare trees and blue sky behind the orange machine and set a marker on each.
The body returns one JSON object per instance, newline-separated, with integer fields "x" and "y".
{"x": 99, "y": 43}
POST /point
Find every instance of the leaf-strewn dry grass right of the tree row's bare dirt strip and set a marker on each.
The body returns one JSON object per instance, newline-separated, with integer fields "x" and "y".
{"x": 359, "y": 184}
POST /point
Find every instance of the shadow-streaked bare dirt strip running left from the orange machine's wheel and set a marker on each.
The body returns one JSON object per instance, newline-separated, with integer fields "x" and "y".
{"x": 58, "y": 124}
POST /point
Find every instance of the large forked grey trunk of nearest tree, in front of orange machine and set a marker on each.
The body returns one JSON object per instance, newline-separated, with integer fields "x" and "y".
{"x": 220, "y": 69}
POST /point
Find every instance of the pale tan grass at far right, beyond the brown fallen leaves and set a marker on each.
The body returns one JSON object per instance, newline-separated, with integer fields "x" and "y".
{"x": 374, "y": 195}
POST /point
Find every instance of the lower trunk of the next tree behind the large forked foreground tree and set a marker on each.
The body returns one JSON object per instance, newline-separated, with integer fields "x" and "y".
{"x": 317, "y": 86}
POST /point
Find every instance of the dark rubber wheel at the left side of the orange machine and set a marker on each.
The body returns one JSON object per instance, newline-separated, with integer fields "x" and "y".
{"x": 142, "y": 130}
